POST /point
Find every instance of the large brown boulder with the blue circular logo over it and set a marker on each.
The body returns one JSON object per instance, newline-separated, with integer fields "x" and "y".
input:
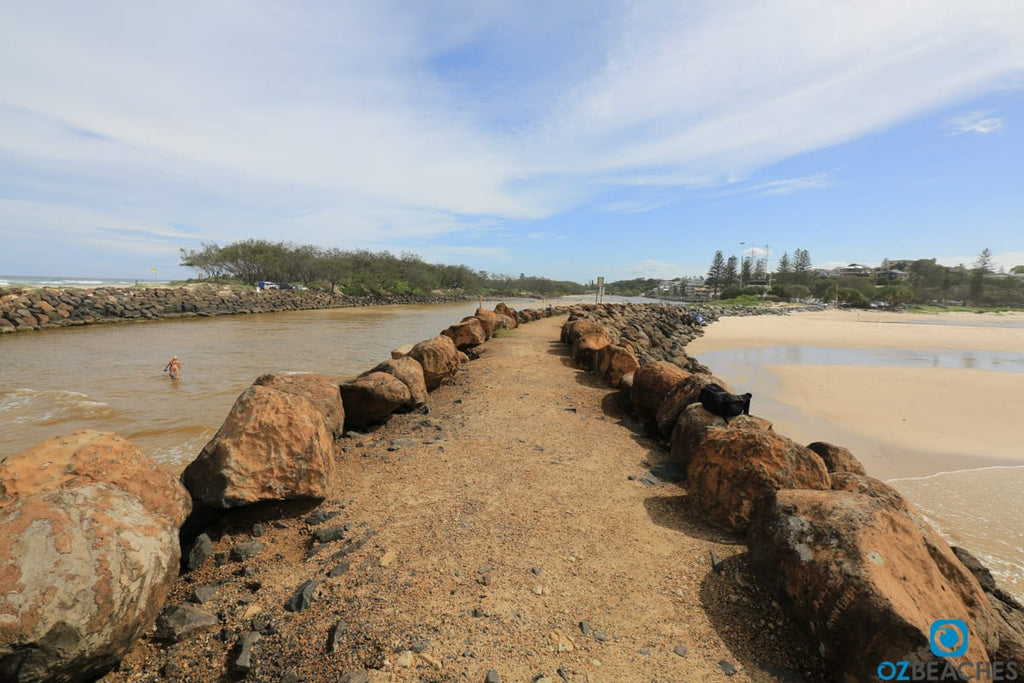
{"x": 870, "y": 582}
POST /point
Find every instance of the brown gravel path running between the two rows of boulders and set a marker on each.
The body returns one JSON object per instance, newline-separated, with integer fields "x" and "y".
{"x": 510, "y": 515}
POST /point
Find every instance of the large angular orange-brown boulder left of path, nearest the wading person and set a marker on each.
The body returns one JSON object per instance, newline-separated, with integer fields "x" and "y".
{"x": 273, "y": 447}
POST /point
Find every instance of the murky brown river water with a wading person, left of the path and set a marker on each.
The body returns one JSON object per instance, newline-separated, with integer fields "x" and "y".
{"x": 110, "y": 377}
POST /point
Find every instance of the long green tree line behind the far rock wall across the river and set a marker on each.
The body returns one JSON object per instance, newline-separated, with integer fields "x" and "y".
{"x": 357, "y": 273}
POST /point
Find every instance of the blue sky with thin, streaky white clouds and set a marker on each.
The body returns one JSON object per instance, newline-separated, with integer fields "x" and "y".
{"x": 564, "y": 140}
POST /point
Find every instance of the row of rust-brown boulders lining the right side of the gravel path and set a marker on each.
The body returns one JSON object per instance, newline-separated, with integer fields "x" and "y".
{"x": 854, "y": 563}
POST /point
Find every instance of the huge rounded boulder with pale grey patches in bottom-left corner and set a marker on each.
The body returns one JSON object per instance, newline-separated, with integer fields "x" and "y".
{"x": 89, "y": 553}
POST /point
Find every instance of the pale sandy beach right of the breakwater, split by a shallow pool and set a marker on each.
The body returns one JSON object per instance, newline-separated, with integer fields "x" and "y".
{"x": 901, "y": 421}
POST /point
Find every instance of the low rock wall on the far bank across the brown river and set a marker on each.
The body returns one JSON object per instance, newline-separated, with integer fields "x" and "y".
{"x": 27, "y": 310}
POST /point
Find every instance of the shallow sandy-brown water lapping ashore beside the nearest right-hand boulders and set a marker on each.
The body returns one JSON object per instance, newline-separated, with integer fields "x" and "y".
{"x": 979, "y": 510}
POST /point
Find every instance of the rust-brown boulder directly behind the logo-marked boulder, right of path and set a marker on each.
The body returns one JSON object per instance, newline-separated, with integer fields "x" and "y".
{"x": 734, "y": 473}
